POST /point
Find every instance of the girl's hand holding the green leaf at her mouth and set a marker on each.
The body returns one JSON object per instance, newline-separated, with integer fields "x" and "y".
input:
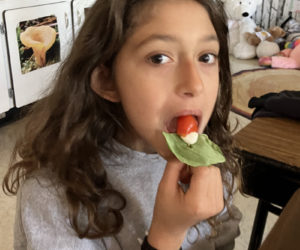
{"x": 175, "y": 211}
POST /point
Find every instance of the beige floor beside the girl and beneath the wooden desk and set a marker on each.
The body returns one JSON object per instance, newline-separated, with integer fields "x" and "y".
{"x": 8, "y": 135}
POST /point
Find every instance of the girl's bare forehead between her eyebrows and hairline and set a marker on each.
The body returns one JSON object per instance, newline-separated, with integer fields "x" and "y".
{"x": 171, "y": 16}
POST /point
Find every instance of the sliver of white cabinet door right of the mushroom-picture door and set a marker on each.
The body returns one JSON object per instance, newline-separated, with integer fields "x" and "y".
{"x": 80, "y": 8}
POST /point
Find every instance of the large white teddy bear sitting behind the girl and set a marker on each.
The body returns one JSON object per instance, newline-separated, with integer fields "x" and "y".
{"x": 239, "y": 13}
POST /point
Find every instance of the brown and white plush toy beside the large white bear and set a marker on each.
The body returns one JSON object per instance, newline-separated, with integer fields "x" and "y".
{"x": 266, "y": 42}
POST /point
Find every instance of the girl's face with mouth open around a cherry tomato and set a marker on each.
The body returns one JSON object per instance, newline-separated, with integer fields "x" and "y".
{"x": 167, "y": 68}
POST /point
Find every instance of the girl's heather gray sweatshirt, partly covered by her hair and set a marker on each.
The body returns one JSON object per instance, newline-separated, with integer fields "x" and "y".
{"x": 42, "y": 217}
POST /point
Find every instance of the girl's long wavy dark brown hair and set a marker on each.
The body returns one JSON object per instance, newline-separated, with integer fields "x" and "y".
{"x": 66, "y": 130}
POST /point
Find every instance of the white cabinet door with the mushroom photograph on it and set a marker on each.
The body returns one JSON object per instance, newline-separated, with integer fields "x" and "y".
{"x": 39, "y": 38}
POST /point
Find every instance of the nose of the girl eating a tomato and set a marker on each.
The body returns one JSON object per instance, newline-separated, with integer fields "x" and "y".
{"x": 189, "y": 81}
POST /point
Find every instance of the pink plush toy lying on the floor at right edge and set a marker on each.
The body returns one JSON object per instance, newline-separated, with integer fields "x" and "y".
{"x": 288, "y": 58}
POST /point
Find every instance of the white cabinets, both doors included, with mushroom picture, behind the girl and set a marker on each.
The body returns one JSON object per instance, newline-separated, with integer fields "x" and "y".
{"x": 35, "y": 37}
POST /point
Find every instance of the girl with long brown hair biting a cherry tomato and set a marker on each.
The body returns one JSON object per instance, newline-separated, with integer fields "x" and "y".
{"x": 95, "y": 169}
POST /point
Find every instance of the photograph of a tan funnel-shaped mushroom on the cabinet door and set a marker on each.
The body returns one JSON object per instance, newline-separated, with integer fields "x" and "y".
{"x": 39, "y": 44}
